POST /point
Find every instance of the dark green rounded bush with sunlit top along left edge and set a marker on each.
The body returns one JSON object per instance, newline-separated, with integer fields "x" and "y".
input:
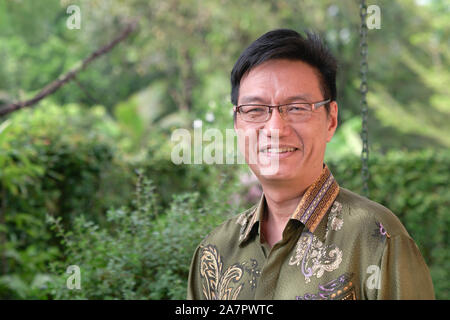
{"x": 54, "y": 160}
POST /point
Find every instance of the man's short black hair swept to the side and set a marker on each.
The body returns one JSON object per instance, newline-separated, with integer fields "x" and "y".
{"x": 288, "y": 44}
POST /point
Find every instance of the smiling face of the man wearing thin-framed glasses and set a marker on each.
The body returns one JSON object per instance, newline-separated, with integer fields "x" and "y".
{"x": 278, "y": 82}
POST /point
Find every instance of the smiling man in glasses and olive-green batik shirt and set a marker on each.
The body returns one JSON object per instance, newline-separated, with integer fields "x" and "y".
{"x": 307, "y": 238}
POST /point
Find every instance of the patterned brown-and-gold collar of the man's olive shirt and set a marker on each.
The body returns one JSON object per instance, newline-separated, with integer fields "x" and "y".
{"x": 313, "y": 206}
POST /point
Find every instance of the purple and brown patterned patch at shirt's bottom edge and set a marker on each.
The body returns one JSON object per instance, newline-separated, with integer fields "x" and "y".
{"x": 338, "y": 289}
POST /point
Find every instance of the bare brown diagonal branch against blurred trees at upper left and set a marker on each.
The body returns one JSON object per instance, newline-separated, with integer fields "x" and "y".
{"x": 63, "y": 79}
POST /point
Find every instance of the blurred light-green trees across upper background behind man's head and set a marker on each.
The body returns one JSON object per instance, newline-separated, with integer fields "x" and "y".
{"x": 187, "y": 49}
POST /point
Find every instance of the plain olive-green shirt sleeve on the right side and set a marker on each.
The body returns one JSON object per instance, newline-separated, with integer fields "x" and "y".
{"x": 404, "y": 274}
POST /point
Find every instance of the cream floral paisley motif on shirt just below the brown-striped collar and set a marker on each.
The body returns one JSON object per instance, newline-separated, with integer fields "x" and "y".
{"x": 314, "y": 257}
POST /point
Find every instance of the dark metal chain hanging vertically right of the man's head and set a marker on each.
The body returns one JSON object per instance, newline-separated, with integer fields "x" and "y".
{"x": 363, "y": 89}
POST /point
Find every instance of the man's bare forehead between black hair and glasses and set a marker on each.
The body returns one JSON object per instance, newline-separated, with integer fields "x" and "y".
{"x": 276, "y": 80}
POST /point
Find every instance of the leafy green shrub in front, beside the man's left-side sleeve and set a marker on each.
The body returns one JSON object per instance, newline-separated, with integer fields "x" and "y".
{"x": 140, "y": 254}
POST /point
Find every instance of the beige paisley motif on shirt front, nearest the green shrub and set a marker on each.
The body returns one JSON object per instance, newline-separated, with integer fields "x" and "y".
{"x": 224, "y": 285}
